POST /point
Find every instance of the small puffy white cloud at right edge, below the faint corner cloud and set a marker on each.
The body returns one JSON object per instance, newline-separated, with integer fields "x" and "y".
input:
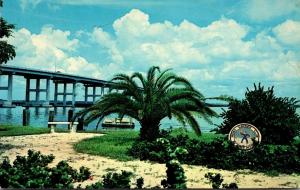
{"x": 288, "y": 32}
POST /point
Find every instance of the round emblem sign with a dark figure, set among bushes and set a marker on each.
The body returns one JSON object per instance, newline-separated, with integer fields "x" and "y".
{"x": 243, "y": 135}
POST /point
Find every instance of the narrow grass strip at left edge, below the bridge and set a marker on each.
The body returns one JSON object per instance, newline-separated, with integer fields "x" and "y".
{"x": 14, "y": 130}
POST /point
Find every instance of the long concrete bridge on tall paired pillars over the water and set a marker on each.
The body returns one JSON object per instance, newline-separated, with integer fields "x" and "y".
{"x": 57, "y": 78}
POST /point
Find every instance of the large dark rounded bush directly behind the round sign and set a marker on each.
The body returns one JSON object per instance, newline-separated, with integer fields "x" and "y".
{"x": 275, "y": 117}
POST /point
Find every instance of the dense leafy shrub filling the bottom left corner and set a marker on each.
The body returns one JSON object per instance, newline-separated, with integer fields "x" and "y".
{"x": 33, "y": 172}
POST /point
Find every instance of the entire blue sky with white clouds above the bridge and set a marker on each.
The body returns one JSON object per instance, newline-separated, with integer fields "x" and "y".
{"x": 221, "y": 46}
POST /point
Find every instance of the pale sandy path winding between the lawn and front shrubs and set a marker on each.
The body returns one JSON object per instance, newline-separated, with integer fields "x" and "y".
{"x": 61, "y": 146}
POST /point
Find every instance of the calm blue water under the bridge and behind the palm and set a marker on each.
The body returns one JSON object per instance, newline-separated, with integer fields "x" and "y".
{"x": 39, "y": 118}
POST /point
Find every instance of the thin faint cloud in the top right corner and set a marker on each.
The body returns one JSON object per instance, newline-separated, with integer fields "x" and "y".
{"x": 264, "y": 10}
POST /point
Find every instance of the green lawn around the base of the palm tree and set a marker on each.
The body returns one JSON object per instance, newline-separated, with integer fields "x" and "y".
{"x": 115, "y": 144}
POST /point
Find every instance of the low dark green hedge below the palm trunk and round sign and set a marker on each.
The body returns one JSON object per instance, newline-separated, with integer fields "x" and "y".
{"x": 222, "y": 154}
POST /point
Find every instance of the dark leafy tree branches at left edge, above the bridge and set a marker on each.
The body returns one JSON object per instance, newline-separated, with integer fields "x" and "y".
{"x": 7, "y": 51}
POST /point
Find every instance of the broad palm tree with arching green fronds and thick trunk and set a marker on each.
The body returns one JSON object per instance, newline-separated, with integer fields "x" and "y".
{"x": 151, "y": 99}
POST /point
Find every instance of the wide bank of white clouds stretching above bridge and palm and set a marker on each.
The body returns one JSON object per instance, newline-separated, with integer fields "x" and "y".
{"x": 207, "y": 55}
